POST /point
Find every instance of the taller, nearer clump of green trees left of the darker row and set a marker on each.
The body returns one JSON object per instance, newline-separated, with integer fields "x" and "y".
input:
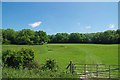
{"x": 24, "y": 36}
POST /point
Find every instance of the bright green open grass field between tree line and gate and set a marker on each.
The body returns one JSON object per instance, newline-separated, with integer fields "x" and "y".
{"x": 80, "y": 53}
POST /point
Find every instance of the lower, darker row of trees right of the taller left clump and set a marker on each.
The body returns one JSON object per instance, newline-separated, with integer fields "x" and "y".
{"x": 106, "y": 37}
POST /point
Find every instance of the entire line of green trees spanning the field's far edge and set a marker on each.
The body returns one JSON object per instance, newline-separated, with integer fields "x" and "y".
{"x": 30, "y": 37}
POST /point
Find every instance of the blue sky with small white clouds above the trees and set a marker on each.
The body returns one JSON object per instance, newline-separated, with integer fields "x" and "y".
{"x": 55, "y": 17}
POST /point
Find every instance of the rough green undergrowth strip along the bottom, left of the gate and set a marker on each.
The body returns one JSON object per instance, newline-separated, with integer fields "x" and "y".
{"x": 33, "y": 73}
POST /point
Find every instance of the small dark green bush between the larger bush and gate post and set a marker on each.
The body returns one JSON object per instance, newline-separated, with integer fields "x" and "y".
{"x": 50, "y": 65}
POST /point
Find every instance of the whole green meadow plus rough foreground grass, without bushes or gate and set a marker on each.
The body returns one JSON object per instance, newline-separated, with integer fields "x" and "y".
{"x": 63, "y": 54}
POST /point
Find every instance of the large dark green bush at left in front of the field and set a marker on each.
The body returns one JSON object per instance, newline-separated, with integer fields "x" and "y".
{"x": 17, "y": 59}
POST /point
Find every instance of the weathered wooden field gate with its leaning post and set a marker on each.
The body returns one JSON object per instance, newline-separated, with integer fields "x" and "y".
{"x": 94, "y": 70}
